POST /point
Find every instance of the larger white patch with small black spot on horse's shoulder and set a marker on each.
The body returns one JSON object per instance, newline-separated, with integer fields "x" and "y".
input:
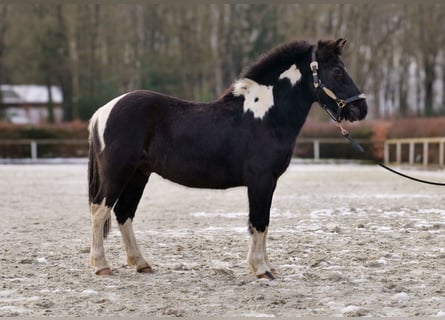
{"x": 258, "y": 98}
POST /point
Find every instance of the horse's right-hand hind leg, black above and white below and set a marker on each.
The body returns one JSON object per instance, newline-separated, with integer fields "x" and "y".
{"x": 125, "y": 211}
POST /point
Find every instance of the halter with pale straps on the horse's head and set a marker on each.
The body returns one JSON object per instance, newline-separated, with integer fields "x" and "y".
{"x": 341, "y": 103}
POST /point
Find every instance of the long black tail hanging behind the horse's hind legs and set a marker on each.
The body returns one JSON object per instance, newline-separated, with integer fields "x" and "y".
{"x": 93, "y": 174}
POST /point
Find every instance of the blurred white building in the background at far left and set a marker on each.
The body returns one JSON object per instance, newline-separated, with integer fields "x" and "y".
{"x": 29, "y": 104}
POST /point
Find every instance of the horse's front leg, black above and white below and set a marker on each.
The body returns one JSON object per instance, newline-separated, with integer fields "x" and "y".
{"x": 260, "y": 198}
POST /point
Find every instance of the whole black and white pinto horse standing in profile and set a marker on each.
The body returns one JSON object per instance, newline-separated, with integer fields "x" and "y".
{"x": 245, "y": 138}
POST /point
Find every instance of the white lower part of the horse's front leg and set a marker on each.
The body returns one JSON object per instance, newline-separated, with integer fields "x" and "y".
{"x": 257, "y": 257}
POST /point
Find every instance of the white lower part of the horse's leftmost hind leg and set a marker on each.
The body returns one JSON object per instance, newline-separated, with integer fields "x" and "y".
{"x": 99, "y": 214}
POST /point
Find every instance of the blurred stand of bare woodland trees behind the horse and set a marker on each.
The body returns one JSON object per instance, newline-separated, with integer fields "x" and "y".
{"x": 95, "y": 51}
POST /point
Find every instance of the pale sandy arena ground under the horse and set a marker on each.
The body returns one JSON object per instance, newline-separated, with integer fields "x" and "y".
{"x": 347, "y": 240}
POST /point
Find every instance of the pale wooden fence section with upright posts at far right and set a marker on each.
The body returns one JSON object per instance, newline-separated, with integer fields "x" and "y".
{"x": 427, "y": 151}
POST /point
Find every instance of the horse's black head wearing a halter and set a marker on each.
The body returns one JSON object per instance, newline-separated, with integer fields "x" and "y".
{"x": 333, "y": 86}
